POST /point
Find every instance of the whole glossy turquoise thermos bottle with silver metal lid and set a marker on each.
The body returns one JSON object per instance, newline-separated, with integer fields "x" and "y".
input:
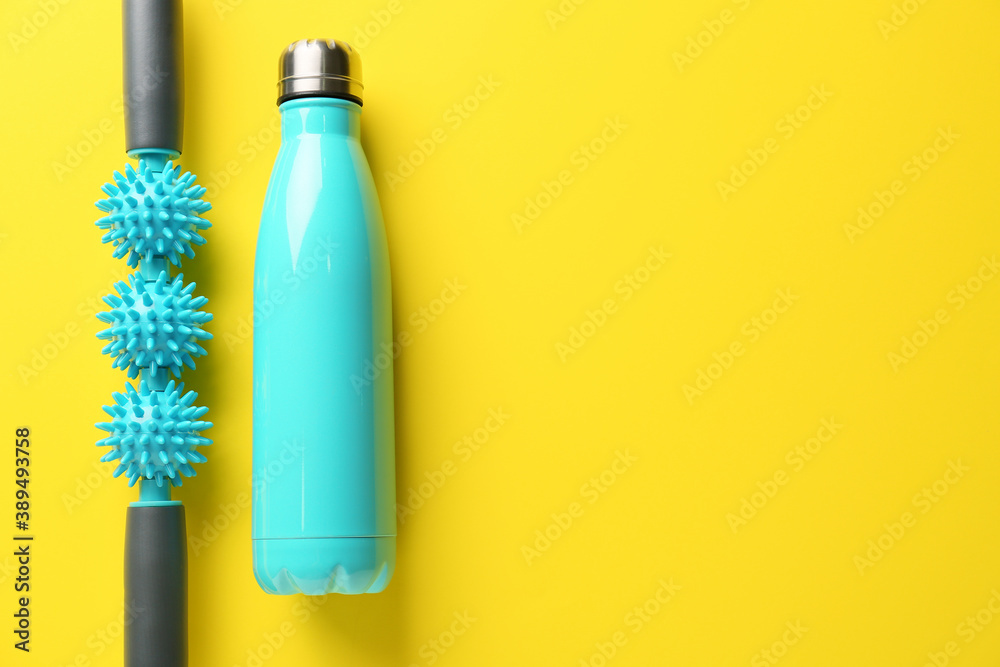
{"x": 323, "y": 498}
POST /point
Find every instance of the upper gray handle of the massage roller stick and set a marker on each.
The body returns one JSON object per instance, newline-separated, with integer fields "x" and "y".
{"x": 154, "y": 74}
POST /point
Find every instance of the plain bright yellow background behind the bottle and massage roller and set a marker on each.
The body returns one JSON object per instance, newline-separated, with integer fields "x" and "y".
{"x": 665, "y": 517}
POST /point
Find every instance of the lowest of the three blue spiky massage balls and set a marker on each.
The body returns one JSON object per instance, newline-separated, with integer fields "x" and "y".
{"x": 153, "y": 434}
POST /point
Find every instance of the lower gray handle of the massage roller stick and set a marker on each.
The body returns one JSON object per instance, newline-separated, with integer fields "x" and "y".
{"x": 156, "y": 586}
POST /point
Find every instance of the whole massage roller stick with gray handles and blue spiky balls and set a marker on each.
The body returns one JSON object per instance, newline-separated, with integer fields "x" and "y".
{"x": 153, "y": 220}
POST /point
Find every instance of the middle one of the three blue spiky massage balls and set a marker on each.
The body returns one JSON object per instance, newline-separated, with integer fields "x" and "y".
{"x": 154, "y": 324}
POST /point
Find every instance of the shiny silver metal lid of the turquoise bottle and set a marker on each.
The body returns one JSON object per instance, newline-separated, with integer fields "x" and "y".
{"x": 319, "y": 68}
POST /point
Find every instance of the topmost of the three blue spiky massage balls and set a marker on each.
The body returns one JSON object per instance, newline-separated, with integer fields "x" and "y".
{"x": 153, "y": 214}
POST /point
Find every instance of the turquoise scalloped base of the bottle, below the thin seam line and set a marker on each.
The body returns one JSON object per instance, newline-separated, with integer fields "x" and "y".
{"x": 322, "y": 565}
